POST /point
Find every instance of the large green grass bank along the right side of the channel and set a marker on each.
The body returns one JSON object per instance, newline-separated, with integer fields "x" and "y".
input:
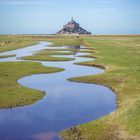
{"x": 120, "y": 56}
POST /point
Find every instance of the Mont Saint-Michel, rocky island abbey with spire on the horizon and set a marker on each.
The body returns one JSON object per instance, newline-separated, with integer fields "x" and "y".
{"x": 73, "y": 27}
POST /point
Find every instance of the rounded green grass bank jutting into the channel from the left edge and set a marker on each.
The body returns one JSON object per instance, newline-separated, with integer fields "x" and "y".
{"x": 11, "y": 93}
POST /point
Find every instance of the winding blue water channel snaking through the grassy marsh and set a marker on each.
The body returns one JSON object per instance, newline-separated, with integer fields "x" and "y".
{"x": 66, "y": 104}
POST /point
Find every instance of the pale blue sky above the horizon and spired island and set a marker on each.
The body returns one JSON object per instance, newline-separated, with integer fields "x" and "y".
{"x": 48, "y": 16}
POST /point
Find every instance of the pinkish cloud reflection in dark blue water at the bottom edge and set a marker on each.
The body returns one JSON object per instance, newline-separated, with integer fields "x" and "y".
{"x": 44, "y": 136}
